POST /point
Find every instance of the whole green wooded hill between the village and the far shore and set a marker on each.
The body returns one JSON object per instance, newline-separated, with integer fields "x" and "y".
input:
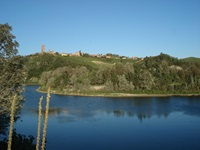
{"x": 73, "y": 74}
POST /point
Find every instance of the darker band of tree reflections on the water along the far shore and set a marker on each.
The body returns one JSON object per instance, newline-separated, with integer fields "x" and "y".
{"x": 70, "y": 109}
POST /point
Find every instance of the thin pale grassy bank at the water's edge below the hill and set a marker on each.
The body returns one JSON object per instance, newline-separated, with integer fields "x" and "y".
{"x": 117, "y": 94}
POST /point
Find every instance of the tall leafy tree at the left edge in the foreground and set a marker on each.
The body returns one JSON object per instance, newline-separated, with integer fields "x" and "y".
{"x": 11, "y": 70}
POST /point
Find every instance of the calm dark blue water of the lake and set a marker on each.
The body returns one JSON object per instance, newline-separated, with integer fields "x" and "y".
{"x": 93, "y": 123}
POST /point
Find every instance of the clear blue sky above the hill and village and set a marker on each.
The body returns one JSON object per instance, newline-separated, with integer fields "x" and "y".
{"x": 125, "y": 27}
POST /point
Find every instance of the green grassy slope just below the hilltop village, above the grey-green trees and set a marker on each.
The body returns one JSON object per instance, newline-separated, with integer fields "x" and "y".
{"x": 36, "y": 64}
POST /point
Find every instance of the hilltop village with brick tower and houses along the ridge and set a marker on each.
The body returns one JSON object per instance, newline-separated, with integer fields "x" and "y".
{"x": 82, "y": 54}
